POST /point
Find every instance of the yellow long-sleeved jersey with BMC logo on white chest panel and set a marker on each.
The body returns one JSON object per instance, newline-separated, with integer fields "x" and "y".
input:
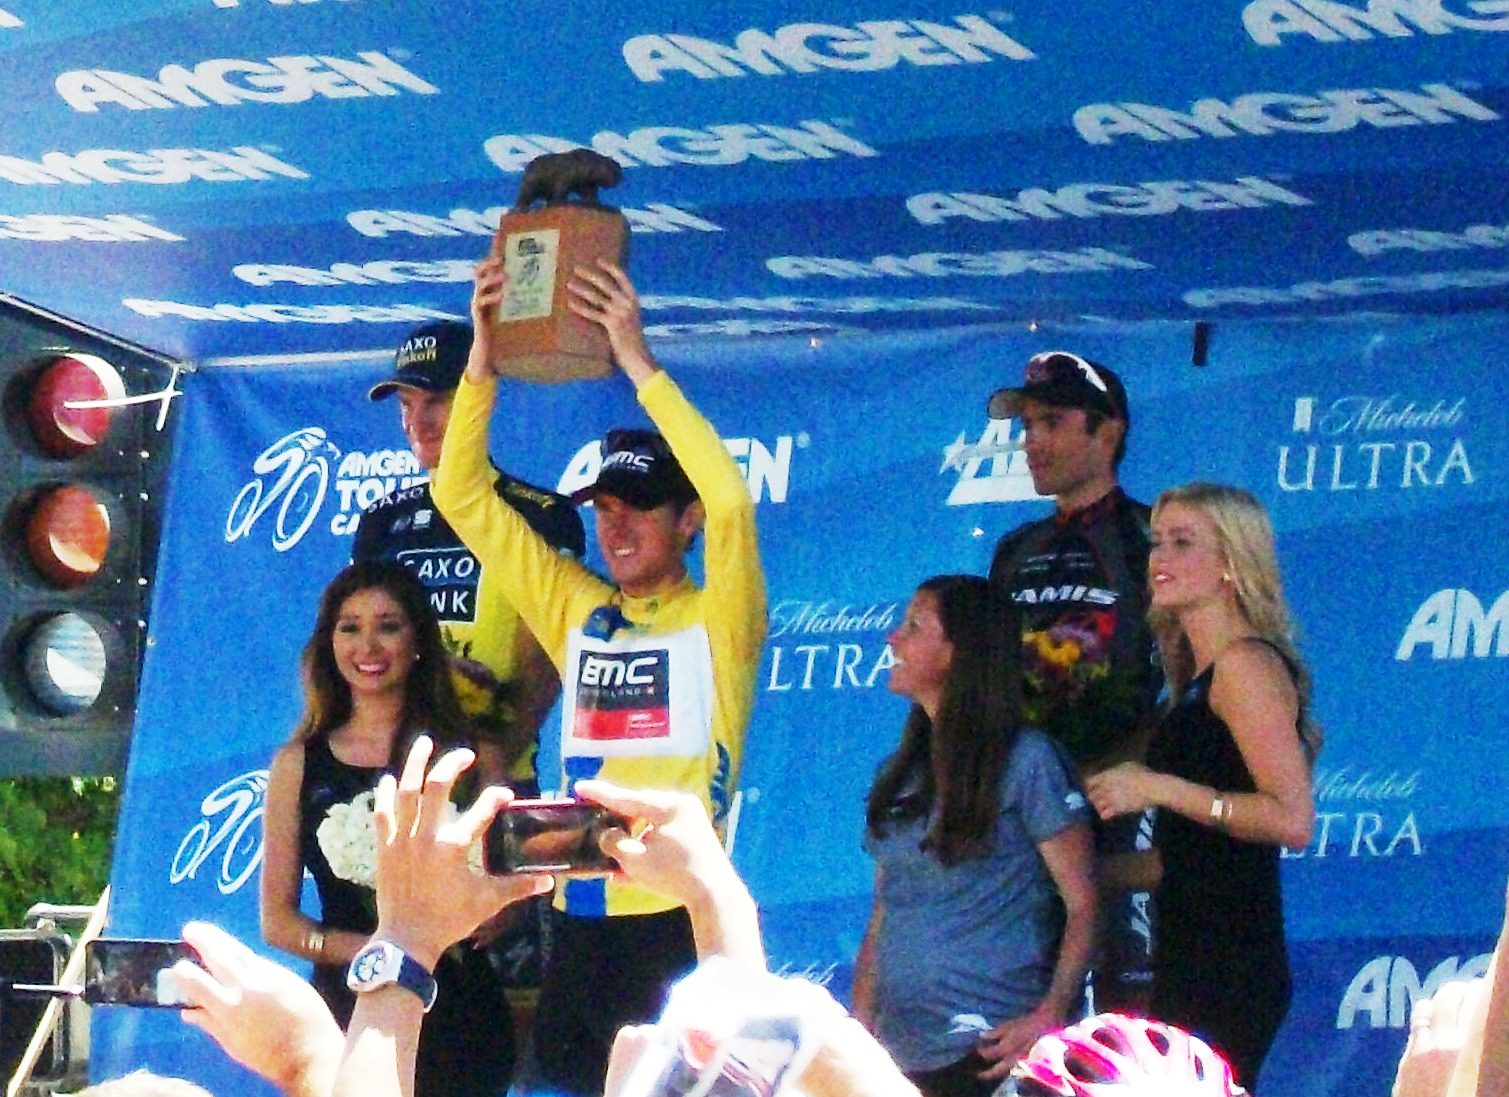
{"x": 656, "y": 692}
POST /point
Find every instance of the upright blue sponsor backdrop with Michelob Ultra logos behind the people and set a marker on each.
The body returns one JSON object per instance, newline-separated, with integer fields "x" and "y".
{"x": 1378, "y": 447}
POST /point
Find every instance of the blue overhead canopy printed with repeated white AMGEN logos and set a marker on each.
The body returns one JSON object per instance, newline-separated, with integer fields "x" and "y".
{"x": 250, "y": 177}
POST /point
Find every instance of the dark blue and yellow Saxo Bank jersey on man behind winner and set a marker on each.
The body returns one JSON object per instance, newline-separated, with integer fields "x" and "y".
{"x": 479, "y": 624}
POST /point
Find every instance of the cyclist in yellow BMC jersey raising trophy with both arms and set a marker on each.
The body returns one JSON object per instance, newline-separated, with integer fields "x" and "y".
{"x": 659, "y": 675}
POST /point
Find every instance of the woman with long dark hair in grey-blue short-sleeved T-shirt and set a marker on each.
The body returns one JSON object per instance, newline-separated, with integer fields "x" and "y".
{"x": 985, "y": 911}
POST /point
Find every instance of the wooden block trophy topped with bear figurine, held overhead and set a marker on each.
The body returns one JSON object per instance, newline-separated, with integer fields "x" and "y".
{"x": 544, "y": 340}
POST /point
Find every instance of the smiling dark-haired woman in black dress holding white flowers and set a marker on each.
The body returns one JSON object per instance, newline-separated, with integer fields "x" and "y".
{"x": 375, "y": 678}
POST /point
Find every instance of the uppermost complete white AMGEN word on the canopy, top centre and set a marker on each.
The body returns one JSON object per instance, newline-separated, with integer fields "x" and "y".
{"x": 814, "y": 48}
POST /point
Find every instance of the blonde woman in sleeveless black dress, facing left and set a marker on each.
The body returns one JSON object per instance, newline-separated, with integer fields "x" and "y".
{"x": 1228, "y": 770}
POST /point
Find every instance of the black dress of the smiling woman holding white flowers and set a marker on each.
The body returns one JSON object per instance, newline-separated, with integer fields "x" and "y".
{"x": 467, "y": 1042}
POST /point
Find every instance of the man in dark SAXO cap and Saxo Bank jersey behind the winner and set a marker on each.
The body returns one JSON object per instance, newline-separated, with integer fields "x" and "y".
{"x": 505, "y": 681}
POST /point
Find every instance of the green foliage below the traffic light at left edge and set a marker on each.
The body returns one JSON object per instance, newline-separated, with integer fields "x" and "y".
{"x": 55, "y": 841}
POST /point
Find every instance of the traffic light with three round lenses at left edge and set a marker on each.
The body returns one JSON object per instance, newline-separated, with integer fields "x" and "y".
{"x": 78, "y": 544}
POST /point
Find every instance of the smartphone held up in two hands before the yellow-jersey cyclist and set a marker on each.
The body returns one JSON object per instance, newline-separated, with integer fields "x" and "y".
{"x": 558, "y": 837}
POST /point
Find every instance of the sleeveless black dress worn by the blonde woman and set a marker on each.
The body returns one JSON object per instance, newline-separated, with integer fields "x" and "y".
{"x": 1222, "y": 969}
